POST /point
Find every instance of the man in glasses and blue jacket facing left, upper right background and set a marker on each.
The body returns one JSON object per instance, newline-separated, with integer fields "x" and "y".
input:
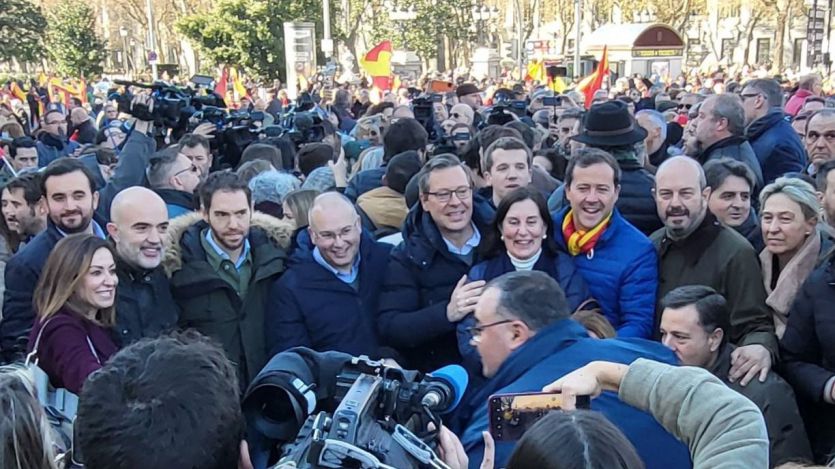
{"x": 775, "y": 143}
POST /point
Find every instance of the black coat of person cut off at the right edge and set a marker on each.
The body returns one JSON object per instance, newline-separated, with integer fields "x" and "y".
{"x": 807, "y": 350}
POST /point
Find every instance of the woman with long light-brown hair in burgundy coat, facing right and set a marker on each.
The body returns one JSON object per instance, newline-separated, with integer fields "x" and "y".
{"x": 75, "y": 306}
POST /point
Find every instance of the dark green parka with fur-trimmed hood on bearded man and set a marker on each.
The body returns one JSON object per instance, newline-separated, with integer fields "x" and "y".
{"x": 211, "y": 305}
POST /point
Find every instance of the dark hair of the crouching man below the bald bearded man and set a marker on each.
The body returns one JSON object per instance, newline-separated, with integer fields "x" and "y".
{"x": 711, "y": 306}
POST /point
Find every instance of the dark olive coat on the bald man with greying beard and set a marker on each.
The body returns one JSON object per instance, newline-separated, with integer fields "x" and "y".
{"x": 718, "y": 257}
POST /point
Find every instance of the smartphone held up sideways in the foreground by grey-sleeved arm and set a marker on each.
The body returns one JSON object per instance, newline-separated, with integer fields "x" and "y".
{"x": 511, "y": 415}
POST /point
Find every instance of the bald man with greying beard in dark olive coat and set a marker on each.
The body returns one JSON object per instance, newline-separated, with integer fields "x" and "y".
{"x": 695, "y": 249}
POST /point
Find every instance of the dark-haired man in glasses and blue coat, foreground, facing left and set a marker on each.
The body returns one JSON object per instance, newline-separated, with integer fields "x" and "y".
{"x": 526, "y": 339}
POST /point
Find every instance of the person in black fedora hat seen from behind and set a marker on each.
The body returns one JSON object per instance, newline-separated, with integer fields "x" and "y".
{"x": 610, "y": 127}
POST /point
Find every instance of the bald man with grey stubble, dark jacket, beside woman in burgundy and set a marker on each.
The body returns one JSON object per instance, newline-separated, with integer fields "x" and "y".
{"x": 144, "y": 305}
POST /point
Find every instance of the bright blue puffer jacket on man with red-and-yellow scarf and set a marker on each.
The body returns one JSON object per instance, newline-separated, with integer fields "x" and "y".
{"x": 622, "y": 275}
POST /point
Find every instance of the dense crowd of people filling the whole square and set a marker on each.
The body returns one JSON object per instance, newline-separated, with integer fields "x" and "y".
{"x": 584, "y": 247}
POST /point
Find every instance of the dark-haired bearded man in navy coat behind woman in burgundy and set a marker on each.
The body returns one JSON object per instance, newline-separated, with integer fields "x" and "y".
{"x": 71, "y": 200}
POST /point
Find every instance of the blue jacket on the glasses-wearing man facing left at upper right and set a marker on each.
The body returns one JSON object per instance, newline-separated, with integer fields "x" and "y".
{"x": 776, "y": 145}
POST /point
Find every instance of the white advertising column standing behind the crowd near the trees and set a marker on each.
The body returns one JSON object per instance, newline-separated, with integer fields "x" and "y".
{"x": 299, "y": 54}
